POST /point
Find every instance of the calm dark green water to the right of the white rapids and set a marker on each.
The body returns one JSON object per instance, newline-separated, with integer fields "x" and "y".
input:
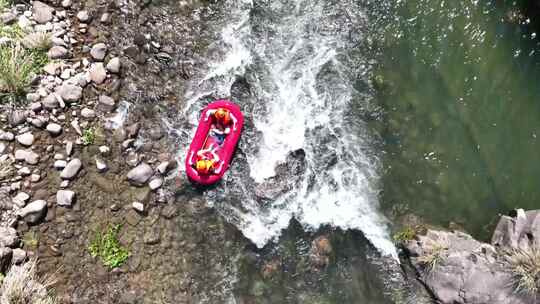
{"x": 457, "y": 85}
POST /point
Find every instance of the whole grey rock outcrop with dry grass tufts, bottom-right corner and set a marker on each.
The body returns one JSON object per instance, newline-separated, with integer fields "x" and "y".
{"x": 455, "y": 268}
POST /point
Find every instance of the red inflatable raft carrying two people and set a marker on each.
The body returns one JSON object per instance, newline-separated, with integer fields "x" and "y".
{"x": 202, "y": 140}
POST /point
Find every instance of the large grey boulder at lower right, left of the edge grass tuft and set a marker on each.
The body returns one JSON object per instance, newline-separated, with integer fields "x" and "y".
{"x": 458, "y": 269}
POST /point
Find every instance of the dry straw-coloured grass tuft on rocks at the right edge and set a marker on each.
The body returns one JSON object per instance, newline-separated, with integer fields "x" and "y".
{"x": 525, "y": 267}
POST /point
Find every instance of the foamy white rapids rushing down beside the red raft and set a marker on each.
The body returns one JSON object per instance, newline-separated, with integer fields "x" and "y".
{"x": 302, "y": 100}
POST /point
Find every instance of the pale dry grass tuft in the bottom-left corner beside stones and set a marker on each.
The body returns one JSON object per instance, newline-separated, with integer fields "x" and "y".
{"x": 22, "y": 286}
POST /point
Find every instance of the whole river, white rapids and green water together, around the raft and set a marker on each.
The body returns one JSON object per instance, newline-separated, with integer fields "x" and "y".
{"x": 359, "y": 114}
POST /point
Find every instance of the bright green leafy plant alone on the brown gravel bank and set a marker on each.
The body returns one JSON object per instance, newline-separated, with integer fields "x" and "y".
{"x": 107, "y": 247}
